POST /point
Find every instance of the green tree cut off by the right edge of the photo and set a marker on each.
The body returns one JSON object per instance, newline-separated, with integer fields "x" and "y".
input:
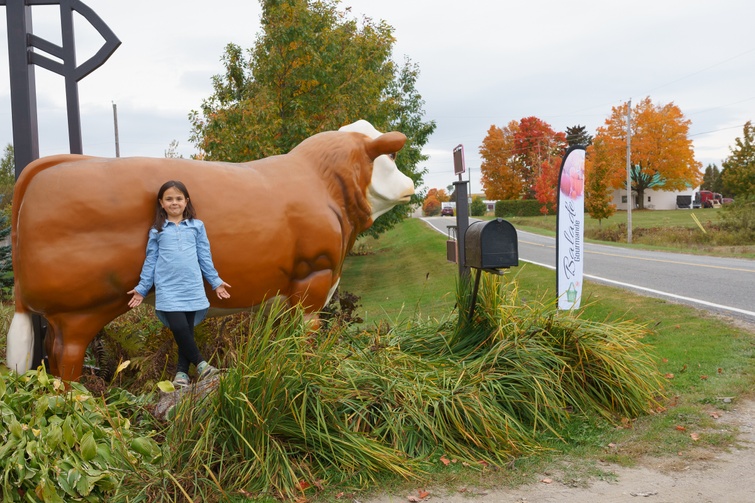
{"x": 738, "y": 173}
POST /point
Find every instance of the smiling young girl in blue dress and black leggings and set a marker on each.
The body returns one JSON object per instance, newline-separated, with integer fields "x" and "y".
{"x": 178, "y": 255}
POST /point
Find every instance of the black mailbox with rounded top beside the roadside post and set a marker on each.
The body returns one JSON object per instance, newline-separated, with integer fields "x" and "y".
{"x": 491, "y": 245}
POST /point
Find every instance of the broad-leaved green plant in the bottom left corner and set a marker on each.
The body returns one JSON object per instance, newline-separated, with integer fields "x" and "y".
{"x": 60, "y": 443}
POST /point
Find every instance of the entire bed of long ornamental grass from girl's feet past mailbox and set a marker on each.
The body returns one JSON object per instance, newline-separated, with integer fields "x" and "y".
{"x": 298, "y": 410}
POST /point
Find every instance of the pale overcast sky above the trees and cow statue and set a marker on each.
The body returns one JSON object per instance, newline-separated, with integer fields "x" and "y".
{"x": 481, "y": 62}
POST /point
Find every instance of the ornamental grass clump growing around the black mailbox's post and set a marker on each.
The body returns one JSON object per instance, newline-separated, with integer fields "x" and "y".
{"x": 601, "y": 368}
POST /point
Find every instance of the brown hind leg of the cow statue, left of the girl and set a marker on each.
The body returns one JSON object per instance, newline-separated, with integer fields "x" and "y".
{"x": 70, "y": 337}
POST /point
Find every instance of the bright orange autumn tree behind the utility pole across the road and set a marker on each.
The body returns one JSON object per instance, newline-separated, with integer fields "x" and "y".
{"x": 661, "y": 155}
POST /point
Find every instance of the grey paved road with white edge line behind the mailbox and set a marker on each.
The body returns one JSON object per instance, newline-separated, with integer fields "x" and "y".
{"x": 722, "y": 285}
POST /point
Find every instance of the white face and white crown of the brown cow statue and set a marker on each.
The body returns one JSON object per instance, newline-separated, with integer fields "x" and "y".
{"x": 388, "y": 186}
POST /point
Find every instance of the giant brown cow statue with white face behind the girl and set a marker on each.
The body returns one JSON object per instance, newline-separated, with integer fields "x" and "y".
{"x": 278, "y": 226}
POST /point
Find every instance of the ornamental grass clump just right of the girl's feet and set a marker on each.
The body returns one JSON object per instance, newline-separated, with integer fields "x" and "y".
{"x": 270, "y": 428}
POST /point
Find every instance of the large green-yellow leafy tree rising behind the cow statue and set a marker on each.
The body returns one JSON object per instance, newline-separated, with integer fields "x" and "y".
{"x": 312, "y": 69}
